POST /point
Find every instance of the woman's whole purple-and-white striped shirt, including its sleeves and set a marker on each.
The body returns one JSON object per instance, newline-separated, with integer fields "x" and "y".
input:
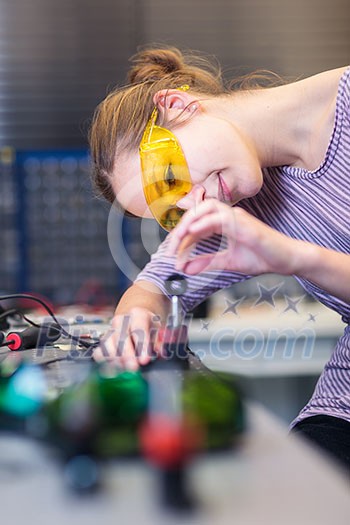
{"x": 309, "y": 205}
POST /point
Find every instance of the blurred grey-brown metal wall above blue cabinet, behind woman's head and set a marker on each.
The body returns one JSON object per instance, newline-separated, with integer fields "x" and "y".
{"x": 57, "y": 58}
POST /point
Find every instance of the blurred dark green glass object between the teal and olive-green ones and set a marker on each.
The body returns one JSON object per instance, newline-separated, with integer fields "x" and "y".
{"x": 101, "y": 414}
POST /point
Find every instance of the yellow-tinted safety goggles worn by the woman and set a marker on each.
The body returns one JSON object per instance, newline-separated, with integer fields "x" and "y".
{"x": 165, "y": 174}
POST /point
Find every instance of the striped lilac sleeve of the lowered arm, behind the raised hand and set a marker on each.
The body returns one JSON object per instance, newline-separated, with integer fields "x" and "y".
{"x": 200, "y": 286}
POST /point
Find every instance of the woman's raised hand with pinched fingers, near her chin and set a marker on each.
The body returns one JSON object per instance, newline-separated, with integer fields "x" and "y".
{"x": 252, "y": 247}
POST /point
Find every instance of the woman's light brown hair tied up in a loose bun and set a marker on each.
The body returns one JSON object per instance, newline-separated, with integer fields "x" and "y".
{"x": 120, "y": 119}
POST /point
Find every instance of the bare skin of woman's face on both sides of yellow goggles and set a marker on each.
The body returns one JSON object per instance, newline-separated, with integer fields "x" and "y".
{"x": 223, "y": 164}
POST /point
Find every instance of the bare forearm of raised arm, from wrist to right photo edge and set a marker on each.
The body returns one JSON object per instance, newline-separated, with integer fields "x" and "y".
{"x": 328, "y": 269}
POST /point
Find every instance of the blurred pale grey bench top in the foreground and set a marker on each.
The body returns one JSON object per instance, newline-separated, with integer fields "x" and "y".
{"x": 270, "y": 479}
